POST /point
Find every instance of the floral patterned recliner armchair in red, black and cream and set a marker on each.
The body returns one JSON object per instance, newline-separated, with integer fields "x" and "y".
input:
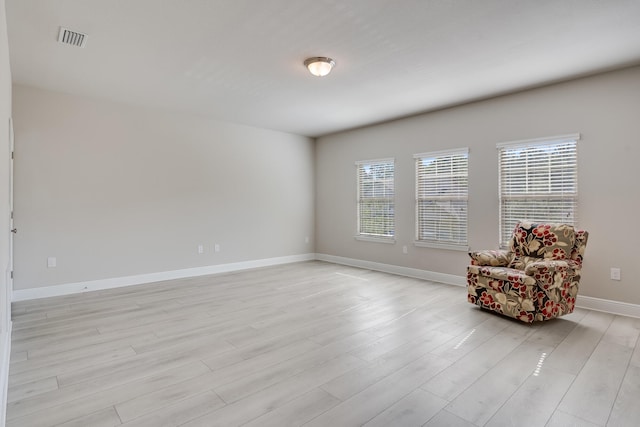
{"x": 536, "y": 279}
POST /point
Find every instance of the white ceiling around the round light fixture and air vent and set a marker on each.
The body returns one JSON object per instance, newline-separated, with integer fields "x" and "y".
{"x": 241, "y": 60}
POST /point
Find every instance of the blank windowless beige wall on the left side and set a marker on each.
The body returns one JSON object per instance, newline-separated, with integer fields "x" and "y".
{"x": 112, "y": 190}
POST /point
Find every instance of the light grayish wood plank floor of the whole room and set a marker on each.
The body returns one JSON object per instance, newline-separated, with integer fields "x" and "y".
{"x": 313, "y": 344}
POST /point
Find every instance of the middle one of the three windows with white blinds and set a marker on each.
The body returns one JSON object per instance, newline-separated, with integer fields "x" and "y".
{"x": 441, "y": 199}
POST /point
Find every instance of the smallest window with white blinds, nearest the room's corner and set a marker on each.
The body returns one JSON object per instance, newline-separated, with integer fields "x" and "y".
{"x": 376, "y": 217}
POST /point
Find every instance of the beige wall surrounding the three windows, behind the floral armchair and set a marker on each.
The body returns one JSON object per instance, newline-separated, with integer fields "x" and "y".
{"x": 604, "y": 109}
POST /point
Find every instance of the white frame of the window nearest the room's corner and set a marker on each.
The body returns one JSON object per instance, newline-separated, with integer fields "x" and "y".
{"x": 373, "y": 237}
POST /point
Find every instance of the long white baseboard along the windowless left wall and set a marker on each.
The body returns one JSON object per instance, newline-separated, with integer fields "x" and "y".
{"x": 118, "y": 282}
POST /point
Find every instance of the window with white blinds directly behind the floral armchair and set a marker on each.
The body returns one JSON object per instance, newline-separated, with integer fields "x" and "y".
{"x": 538, "y": 182}
